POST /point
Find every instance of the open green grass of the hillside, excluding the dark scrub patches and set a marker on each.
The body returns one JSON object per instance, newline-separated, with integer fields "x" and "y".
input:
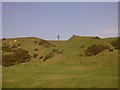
{"x": 65, "y": 70}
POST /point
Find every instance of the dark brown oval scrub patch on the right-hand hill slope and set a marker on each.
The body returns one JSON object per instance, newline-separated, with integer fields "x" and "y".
{"x": 95, "y": 49}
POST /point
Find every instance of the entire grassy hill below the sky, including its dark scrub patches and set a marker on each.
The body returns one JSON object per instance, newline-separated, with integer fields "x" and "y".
{"x": 80, "y": 62}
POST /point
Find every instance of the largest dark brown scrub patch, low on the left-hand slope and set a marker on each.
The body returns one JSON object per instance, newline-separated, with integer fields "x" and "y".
{"x": 15, "y": 57}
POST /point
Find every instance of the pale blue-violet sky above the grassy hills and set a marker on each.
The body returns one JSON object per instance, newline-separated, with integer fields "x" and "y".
{"x": 46, "y": 20}
